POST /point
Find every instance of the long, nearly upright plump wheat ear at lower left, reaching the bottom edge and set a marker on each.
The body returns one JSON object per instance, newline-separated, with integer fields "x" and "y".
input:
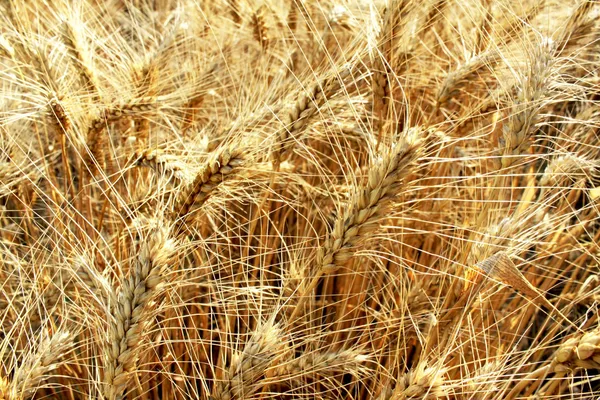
{"x": 132, "y": 307}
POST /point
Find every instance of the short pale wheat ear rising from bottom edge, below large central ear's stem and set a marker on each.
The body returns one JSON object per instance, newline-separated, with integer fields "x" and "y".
{"x": 247, "y": 367}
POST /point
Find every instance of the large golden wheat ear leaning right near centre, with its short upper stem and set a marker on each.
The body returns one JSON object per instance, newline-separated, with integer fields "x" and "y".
{"x": 368, "y": 203}
